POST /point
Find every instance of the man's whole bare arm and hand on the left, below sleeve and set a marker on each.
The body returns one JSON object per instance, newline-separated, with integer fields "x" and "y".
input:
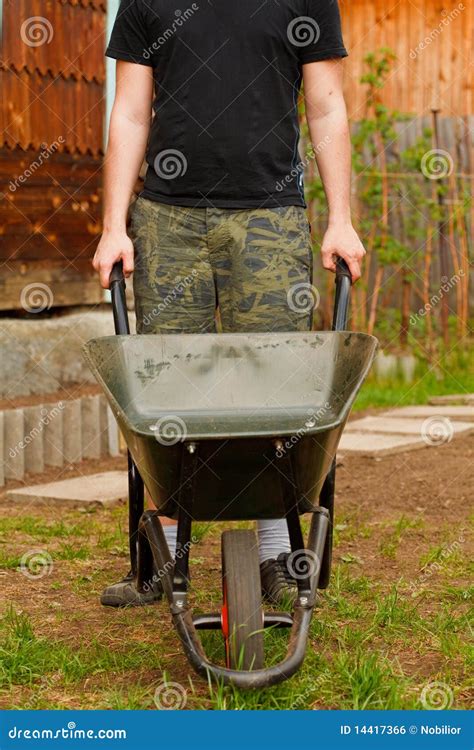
{"x": 128, "y": 136}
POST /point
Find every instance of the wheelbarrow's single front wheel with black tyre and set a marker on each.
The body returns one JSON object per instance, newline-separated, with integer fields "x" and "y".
{"x": 242, "y": 614}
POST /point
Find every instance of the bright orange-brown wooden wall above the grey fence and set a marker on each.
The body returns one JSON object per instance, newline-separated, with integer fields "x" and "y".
{"x": 441, "y": 75}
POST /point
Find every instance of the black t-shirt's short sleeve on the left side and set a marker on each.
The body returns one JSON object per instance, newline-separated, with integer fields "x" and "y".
{"x": 129, "y": 39}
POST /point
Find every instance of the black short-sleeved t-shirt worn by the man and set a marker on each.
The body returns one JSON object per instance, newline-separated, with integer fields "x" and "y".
{"x": 227, "y": 76}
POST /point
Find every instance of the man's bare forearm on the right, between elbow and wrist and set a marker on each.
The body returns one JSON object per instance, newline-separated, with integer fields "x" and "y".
{"x": 330, "y": 137}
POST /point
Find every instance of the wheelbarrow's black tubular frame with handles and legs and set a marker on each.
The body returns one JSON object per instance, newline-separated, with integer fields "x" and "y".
{"x": 149, "y": 550}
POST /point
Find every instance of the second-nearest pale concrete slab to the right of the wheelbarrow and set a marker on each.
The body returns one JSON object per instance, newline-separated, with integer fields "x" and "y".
{"x": 406, "y": 426}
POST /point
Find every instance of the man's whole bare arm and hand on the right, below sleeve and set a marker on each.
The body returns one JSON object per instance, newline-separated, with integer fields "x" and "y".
{"x": 328, "y": 124}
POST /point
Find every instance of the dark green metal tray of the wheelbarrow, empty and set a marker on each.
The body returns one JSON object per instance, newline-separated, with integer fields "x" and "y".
{"x": 236, "y": 396}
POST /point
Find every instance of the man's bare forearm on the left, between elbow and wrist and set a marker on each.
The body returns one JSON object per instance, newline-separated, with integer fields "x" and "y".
{"x": 124, "y": 157}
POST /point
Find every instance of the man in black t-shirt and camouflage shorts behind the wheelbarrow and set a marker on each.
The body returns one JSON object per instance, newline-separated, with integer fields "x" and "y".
{"x": 223, "y": 203}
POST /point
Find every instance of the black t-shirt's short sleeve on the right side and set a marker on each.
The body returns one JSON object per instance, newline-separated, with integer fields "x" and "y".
{"x": 319, "y": 36}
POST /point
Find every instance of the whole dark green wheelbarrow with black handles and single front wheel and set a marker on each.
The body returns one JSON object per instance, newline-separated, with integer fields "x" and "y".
{"x": 233, "y": 427}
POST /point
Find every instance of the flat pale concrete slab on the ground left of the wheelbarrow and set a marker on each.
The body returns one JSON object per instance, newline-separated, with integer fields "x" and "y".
{"x": 105, "y": 489}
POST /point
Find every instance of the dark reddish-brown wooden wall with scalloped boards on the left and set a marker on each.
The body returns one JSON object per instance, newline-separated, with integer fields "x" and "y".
{"x": 51, "y": 121}
